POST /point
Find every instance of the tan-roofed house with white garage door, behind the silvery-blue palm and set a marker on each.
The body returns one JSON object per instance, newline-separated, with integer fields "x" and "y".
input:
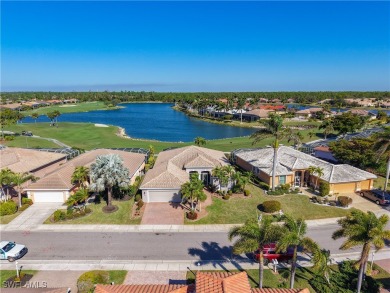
{"x": 57, "y": 186}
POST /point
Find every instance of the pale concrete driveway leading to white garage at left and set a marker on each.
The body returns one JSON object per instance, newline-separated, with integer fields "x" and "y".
{"x": 33, "y": 216}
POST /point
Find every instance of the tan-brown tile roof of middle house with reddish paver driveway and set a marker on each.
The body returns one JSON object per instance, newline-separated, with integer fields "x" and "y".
{"x": 169, "y": 169}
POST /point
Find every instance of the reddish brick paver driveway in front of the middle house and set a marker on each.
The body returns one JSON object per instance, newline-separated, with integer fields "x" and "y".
{"x": 161, "y": 213}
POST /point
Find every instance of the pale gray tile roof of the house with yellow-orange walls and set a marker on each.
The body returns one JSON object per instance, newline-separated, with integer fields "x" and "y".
{"x": 290, "y": 159}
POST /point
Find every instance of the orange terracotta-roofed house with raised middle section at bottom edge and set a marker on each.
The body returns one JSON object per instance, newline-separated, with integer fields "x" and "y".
{"x": 205, "y": 282}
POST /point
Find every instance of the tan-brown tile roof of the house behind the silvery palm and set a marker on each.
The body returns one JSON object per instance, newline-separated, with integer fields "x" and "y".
{"x": 60, "y": 179}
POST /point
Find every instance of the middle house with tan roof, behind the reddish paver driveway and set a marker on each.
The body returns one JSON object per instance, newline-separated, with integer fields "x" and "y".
{"x": 173, "y": 168}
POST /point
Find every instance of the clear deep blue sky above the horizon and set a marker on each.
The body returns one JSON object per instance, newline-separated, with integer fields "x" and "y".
{"x": 195, "y": 46}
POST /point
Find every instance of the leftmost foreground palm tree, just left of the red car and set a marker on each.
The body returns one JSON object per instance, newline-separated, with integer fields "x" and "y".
{"x": 253, "y": 235}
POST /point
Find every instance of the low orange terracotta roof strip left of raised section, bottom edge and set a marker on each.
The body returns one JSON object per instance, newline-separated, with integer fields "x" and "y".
{"x": 144, "y": 289}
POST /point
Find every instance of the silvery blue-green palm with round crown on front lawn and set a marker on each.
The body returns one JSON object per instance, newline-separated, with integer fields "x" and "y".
{"x": 106, "y": 172}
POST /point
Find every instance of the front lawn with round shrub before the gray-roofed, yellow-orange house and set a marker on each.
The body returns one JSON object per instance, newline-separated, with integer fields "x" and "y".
{"x": 238, "y": 210}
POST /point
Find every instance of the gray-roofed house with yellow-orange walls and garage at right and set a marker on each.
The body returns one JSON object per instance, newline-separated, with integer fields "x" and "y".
{"x": 292, "y": 168}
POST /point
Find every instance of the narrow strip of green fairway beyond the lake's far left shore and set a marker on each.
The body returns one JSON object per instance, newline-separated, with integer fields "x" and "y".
{"x": 69, "y": 108}
